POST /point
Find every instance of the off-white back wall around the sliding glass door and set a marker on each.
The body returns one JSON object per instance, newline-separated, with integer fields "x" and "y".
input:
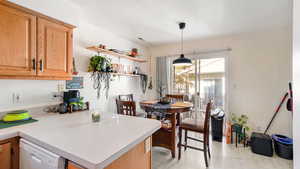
{"x": 259, "y": 72}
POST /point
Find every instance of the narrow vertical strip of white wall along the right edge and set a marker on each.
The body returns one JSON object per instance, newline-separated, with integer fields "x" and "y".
{"x": 296, "y": 83}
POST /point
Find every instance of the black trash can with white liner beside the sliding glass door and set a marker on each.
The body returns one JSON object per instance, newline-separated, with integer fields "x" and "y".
{"x": 217, "y": 118}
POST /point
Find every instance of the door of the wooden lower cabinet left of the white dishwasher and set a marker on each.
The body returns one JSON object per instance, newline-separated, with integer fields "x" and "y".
{"x": 5, "y": 156}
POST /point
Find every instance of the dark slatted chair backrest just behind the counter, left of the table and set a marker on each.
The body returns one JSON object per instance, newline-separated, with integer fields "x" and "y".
{"x": 126, "y": 107}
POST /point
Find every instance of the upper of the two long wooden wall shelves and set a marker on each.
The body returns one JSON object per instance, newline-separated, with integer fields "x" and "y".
{"x": 112, "y": 53}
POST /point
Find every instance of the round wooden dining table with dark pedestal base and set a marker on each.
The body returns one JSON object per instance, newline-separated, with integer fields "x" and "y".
{"x": 171, "y": 112}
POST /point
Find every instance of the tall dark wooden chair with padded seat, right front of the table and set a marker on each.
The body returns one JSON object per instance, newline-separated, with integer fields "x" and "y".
{"x": 198, "y": 126}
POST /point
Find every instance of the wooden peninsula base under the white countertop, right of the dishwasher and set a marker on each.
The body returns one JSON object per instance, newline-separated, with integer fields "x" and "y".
{"x": 139, "y": 157}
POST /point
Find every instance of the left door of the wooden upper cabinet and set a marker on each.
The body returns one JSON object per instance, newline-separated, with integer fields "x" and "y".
{"x": 17, "y": 42}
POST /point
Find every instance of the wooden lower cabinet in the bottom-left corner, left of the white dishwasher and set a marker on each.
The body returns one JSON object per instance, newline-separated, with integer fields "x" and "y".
{"x": 9, "y": 153}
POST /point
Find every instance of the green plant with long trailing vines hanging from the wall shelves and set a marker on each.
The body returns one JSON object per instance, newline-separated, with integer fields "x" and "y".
{"x": 101, "y": 68}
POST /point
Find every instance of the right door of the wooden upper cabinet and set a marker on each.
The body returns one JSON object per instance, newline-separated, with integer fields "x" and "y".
{"x": 54, "y": 49}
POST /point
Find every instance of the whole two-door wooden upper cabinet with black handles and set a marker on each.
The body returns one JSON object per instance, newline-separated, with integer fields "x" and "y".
{"x": 34, "y": 46}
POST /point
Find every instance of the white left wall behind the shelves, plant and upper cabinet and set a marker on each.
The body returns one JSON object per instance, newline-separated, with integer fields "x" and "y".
{"x": 35, "y": 92}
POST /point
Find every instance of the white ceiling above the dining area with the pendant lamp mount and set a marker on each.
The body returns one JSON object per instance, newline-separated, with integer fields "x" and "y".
{"x": 156, "y": 20}
